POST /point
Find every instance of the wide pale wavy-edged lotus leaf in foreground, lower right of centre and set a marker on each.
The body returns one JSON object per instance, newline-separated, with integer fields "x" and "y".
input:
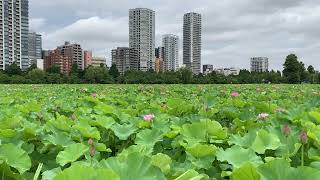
{"x": 237, "y": 156}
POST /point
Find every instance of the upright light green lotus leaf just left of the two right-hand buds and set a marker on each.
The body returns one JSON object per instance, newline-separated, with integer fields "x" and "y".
{"x": 264, "y": 141}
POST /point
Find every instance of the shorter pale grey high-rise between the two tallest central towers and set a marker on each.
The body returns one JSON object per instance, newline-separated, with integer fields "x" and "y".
{"x": 171, "y": 52}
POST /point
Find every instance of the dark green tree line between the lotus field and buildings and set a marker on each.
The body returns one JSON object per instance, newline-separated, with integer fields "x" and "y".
{"x": 294, "y": 72}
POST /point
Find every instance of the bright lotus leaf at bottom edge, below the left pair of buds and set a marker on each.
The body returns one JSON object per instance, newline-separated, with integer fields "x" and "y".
{"x": 79, "y": 172}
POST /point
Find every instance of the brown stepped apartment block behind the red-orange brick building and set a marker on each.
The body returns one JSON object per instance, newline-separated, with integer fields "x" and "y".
{"x": 74, "y": 52}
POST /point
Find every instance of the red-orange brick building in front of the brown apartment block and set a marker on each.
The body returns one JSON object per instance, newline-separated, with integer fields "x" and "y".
{"x": 56, "y": 58}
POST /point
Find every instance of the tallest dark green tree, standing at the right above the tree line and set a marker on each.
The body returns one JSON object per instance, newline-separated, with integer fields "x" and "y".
{"x": 292, "y": 69}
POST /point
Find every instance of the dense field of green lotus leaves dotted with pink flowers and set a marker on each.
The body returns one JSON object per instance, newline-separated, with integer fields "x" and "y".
{"x": 175, "y": 132}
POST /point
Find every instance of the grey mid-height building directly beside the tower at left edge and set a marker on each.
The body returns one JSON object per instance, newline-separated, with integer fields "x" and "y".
{"x": 35, "y": 47}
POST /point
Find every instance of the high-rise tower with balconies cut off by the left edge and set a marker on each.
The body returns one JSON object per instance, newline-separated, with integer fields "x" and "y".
{"x": 14, "y": 29}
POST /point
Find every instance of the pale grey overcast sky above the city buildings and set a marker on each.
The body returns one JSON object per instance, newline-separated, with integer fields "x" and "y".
{"x": 233, "y": 30}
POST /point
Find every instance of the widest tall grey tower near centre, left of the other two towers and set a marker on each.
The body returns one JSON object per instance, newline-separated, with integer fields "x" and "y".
{"x": 142, "y": 36}
